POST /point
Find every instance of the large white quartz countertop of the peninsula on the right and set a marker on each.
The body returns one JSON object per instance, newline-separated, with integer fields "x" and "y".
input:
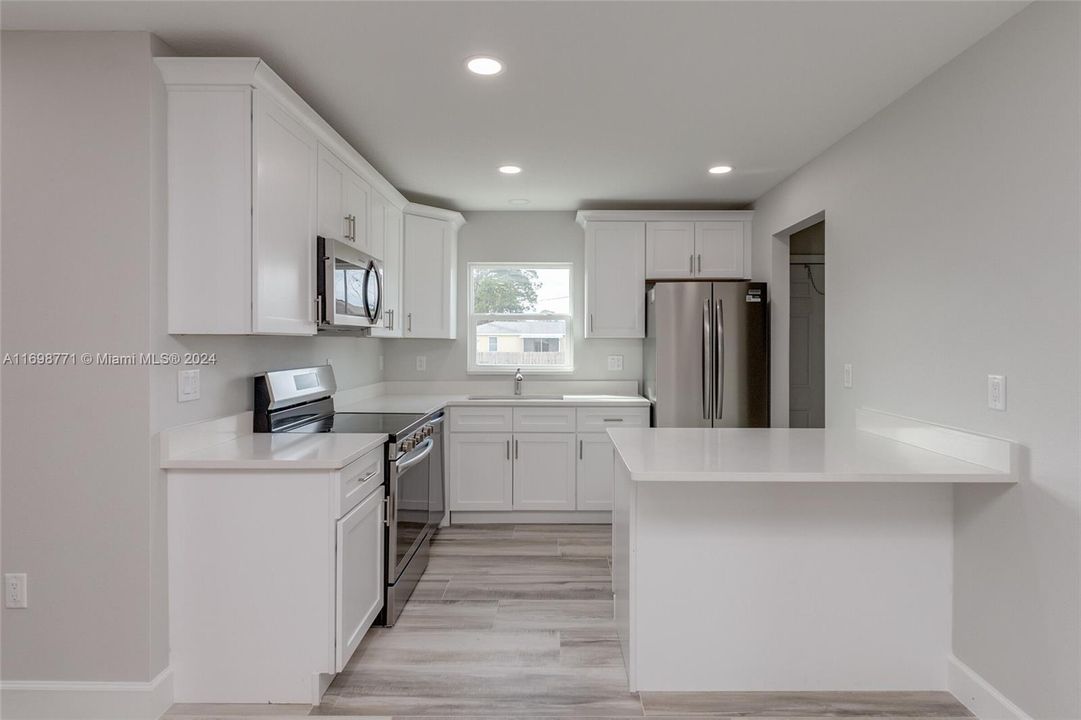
{"x": 788, "y": 456}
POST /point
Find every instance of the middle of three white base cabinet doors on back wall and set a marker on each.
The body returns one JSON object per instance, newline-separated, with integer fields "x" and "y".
{"x": 544, "y": 472}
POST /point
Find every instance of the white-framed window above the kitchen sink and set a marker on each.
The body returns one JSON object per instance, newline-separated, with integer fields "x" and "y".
{"x": 521, "y": 317}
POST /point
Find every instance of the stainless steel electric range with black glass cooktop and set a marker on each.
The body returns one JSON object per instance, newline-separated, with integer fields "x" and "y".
{"x": 301, "y": 402}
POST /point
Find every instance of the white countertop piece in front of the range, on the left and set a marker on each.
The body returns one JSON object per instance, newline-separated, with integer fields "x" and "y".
{"x": 282, "y": 451}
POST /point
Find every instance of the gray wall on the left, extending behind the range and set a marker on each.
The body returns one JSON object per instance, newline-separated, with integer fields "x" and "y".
{"x": 84, "y": 212}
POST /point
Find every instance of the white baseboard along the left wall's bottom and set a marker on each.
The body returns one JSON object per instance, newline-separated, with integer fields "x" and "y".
{"x": 34, "y": 700}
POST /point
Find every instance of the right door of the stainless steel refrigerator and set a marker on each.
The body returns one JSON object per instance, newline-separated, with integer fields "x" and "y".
{"x": 742, "y": 345}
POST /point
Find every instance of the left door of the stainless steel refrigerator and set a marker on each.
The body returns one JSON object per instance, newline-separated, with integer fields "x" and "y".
{"x": 678, "y": 352}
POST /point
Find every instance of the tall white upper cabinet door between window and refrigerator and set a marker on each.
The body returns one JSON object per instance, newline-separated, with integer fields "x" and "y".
{"x": 616, "y": 276}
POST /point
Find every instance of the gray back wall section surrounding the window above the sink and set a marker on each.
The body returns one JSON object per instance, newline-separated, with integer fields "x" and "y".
{"x": 540, "y": 237}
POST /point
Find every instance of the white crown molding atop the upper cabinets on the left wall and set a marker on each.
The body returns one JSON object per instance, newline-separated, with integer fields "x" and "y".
{"x": 253, "y": 72}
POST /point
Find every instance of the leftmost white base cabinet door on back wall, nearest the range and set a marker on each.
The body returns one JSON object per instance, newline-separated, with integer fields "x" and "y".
{"x": 479, "y": 472}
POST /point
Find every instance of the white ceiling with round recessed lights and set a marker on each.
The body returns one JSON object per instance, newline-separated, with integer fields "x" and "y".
{"x": 604, "y": 104}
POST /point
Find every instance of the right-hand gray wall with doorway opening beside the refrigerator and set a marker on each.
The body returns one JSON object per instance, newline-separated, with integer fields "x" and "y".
{"x": 953, "y": 236}
